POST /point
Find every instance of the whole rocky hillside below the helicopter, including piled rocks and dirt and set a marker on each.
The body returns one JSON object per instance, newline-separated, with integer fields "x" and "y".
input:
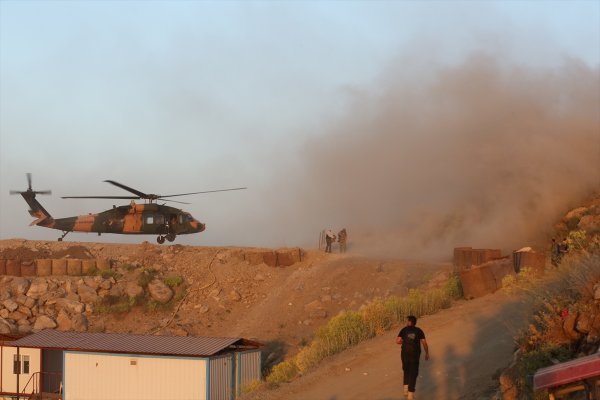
{"x": 279, "y": 295}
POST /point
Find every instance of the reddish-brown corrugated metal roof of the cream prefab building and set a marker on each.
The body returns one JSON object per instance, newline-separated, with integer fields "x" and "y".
{"x": 187, "y": 346}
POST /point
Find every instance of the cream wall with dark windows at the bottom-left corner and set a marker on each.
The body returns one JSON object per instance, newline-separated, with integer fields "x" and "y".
{"x": 28, "y": 364}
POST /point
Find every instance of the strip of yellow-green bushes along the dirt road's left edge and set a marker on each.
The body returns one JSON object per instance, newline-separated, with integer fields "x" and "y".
{"x": 349, "y": 328}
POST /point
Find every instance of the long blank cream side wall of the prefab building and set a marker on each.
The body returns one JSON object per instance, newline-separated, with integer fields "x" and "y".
{"x": 97, "y": 376}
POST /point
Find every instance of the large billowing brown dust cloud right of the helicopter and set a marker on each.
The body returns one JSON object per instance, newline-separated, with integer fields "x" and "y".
{"x": 484, "y": 153}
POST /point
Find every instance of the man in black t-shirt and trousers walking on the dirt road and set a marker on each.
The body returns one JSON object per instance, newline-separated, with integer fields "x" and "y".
{"x": 411, "y": 338}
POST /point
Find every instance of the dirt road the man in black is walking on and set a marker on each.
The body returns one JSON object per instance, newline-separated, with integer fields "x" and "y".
{"x": 469, "y": 343}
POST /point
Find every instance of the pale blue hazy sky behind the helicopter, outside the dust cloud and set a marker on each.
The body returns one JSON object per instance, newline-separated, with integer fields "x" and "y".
{"x": 181, "y": 96}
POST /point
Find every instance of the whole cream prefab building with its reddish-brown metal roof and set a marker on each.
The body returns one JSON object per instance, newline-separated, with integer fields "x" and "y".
{"x": 100, "y": 366}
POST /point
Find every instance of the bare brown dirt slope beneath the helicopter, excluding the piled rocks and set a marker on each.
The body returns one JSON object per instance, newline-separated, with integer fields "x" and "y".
{"x": 228, "y": 296}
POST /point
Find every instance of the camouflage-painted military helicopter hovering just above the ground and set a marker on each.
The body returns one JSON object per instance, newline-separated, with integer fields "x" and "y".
{"x": 133, "y": 219}
